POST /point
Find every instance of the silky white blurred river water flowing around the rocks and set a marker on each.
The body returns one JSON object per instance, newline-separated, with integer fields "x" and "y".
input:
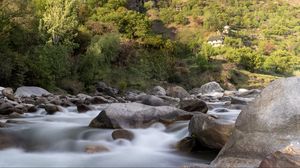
{"x": 60, "y": 140}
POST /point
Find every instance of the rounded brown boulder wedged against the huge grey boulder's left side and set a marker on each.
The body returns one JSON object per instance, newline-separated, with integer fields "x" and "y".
{"x": 209, "y": 131}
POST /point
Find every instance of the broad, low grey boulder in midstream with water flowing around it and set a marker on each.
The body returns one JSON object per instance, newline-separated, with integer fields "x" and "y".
{"x": 136, "y": 115}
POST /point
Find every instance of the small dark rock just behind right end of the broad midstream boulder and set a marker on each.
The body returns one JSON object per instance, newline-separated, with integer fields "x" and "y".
{"x": 193, "y": 105}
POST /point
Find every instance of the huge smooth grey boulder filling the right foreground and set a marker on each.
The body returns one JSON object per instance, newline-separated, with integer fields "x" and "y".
{"x": 265, "y": 126}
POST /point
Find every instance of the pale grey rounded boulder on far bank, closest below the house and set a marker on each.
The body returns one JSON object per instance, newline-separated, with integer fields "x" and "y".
{"x": 208, "y": 88}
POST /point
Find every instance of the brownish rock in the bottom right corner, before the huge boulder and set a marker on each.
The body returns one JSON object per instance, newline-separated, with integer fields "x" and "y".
{"x": 288, "y": 157}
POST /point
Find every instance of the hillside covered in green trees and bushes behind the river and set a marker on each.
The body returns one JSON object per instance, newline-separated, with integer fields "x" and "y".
{"x": 71, "y": 44}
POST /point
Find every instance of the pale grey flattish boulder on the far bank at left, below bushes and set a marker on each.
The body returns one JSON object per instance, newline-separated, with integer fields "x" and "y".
{"x": 27, "y": 91}
